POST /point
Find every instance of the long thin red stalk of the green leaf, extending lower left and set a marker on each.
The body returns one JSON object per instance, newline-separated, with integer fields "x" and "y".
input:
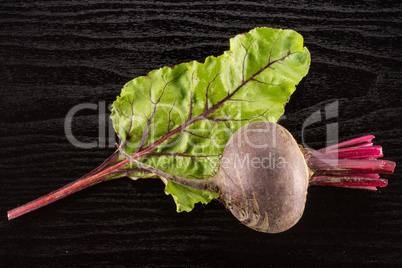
{"x": 96, "y": 176}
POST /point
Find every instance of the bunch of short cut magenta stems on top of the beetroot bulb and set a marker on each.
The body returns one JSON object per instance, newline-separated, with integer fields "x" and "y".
{"x": 350, "y": 164}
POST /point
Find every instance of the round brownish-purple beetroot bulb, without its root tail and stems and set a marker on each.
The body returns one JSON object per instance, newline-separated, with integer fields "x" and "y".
{"x": 264, "y": 182}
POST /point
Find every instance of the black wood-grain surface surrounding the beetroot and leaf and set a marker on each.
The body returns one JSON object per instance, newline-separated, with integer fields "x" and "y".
{"x": 57, "y": 54}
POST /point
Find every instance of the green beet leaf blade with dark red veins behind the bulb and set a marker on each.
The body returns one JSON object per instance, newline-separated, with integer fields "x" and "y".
{"x": 180, "y": 119}
